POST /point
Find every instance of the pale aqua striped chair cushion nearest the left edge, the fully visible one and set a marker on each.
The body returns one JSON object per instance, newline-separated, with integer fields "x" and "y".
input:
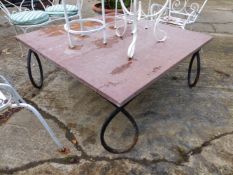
{"x": 29, "y": 17}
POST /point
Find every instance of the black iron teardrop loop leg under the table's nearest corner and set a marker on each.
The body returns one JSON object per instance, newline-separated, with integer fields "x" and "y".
{"x": 108, "y": 121}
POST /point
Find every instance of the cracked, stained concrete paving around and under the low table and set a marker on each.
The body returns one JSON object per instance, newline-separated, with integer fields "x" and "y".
{"x": 182, "y": 130}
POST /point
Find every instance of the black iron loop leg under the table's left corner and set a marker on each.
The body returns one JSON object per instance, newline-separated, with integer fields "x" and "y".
{"x": 29, "y": 67}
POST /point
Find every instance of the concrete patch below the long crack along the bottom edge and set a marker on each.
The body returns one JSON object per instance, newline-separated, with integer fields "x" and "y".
{"x": 90, "y": 167}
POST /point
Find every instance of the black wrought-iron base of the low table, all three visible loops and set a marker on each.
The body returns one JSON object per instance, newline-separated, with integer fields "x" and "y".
{"x": 118, "y": 109}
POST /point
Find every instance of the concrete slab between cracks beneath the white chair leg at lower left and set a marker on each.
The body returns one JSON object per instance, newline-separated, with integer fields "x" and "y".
{"x": 25, "y": 141}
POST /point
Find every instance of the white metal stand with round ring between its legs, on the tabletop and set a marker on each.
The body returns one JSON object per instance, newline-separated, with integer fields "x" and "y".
{"x": 81, "y": 21}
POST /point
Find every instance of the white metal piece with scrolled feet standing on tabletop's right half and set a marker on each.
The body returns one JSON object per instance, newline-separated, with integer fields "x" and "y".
{"x": 135, "y": 15}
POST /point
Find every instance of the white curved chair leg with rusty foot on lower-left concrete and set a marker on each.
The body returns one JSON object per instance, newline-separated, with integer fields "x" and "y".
{"x": 43, "y": 122}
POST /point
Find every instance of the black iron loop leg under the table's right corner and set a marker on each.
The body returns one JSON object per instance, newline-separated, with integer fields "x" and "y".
{"x": 197, "y": 56}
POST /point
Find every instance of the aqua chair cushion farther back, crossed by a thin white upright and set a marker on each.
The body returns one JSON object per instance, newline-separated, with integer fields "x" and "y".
{"x": 58, "y": 10}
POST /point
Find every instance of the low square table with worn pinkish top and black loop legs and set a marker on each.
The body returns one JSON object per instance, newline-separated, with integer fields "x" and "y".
{"x": 106, "y": 68}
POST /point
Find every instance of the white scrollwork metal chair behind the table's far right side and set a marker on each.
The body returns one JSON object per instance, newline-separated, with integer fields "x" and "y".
{"x": 182, "y": 12}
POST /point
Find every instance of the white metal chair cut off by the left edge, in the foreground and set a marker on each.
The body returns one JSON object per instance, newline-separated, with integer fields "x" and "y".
{"x": 9, "y": 99}
